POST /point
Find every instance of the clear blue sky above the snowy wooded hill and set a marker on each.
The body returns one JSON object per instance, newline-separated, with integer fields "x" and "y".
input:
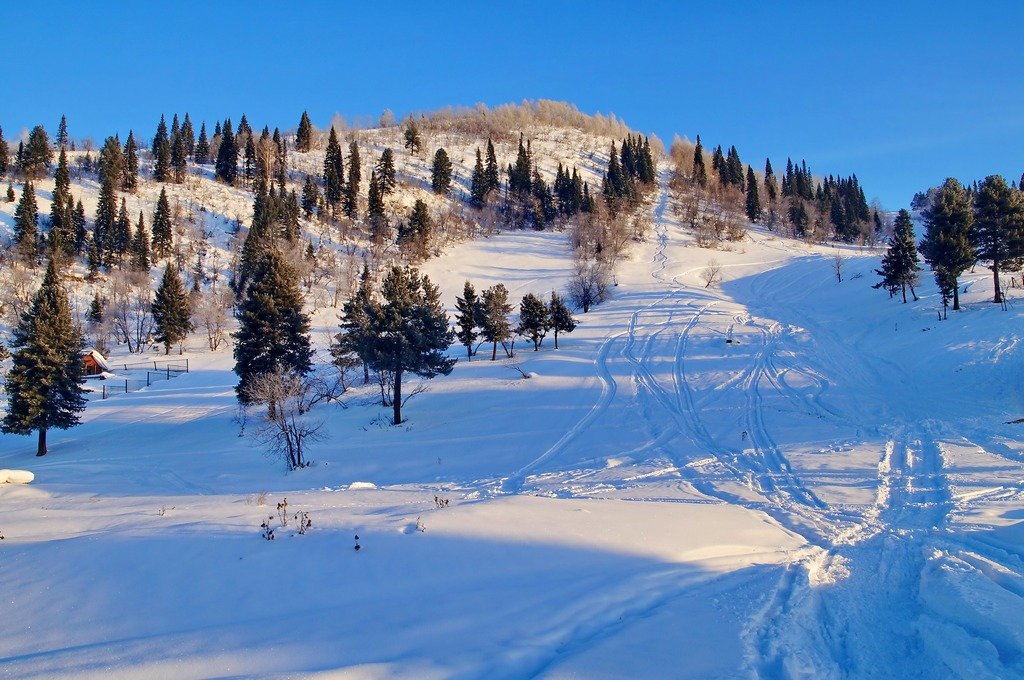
{"x": 903, "y": 94}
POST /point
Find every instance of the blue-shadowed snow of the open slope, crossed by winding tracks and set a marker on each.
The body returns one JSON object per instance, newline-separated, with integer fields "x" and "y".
{"x": 836, "y": 493}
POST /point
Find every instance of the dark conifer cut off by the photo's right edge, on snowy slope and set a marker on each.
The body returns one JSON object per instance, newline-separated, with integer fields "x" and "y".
{"x": 998, "y": 233}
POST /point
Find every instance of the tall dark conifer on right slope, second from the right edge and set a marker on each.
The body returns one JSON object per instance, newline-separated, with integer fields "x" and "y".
{"x": 947, "y": 246}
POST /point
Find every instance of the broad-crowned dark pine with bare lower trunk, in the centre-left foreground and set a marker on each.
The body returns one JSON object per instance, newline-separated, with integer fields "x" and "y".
{"x": 410, "y": 330}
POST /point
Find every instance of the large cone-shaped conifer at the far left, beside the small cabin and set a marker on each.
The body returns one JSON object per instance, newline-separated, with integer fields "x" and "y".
{"x": 45, "y": 386}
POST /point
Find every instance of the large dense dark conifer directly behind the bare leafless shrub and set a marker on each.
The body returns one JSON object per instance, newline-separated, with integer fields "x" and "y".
{"x": 274, "y": 332}
